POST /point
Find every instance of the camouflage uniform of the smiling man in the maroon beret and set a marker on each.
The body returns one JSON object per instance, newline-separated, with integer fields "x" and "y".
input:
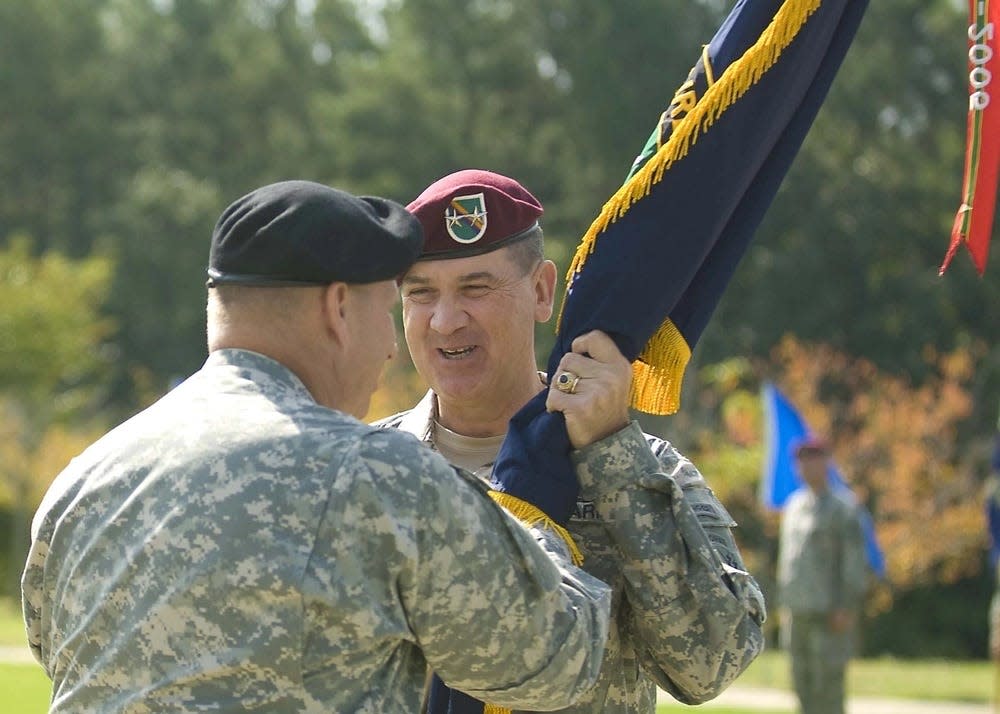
{"x": 685, "y": 614}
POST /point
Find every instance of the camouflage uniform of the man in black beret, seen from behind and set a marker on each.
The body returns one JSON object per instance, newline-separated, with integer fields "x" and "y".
{"x": 237, "y": 547}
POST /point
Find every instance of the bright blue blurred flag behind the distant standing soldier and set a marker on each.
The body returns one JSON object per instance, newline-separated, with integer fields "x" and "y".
{"x": 780, "y": 478}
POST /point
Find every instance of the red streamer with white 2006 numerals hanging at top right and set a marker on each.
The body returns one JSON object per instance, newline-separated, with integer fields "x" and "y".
{"x": 974, "y": 220}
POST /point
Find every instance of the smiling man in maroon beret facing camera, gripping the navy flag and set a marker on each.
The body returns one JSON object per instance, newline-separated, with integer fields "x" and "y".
{"x": 685, "y": 615}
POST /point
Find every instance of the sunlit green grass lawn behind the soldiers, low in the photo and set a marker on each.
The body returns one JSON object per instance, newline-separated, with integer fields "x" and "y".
{"x": 26, "y": 689}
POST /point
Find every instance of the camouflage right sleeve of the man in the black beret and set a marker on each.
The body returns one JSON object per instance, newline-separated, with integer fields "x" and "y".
{"x": 498, "y": 610}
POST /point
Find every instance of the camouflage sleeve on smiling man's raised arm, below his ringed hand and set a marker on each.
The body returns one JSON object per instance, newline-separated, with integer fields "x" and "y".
{"x": 694, "y": 611}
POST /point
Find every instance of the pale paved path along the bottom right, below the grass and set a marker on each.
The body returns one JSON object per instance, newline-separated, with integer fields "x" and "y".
{"x": 772, "y": 699}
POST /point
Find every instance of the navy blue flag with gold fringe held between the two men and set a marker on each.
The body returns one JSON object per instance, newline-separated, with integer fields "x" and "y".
{"x": 655, "y": 262}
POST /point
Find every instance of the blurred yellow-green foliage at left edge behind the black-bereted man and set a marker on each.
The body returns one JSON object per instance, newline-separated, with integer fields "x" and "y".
{"x": 53, "y": 364}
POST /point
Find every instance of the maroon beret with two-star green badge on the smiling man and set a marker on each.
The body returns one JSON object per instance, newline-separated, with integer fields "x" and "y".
{"x": 471, "y": 212}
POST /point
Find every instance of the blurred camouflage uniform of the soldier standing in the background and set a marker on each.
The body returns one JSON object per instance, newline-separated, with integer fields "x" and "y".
{"x": 821, "y": 568}
